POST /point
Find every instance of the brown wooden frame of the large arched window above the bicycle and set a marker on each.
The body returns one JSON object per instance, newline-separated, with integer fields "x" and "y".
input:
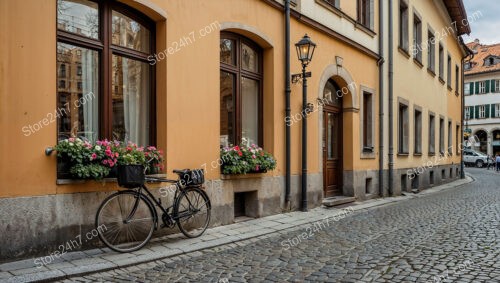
{"x": 105, "y": 48}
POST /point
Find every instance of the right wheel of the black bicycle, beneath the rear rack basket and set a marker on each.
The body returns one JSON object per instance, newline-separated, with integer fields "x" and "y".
{"x": 192, "y": 212}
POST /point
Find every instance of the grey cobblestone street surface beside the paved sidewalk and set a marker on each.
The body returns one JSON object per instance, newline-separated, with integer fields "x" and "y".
{"x": 449, "y": 236}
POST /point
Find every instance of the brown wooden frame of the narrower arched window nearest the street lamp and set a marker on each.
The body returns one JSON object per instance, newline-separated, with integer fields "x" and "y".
{"x": 238, "y": 72}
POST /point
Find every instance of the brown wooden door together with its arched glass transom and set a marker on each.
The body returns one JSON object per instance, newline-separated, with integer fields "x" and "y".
{"x": 332, "y": 140}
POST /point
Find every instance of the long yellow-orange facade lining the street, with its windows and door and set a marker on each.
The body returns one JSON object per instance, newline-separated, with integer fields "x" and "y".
{"x": 193, "y": 76}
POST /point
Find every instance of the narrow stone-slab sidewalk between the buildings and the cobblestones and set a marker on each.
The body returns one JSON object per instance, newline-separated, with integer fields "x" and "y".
{"x": 98, "y": 260}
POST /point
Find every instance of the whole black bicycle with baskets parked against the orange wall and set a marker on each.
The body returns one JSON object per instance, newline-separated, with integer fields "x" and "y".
{"x": 130, "y": 217}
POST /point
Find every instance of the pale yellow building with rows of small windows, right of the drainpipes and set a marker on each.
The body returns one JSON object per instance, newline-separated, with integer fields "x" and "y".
{"x": 427, "y": 92}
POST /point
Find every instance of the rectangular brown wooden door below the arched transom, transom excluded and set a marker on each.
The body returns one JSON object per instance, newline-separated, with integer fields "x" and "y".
{"x": 332, "y": 152}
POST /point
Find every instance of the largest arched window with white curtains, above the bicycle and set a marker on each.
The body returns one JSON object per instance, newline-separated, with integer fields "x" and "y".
{"x": 109, "y": 89}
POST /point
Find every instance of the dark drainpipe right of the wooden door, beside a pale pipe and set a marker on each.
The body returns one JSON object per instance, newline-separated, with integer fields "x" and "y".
{"x": 380, "y": 64}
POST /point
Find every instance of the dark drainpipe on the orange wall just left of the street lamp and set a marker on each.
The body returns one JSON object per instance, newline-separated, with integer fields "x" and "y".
{"x": 287, "y": 105}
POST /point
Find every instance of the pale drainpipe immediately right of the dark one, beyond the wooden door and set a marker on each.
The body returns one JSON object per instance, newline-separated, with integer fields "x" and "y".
{"x": 391, "y": 106}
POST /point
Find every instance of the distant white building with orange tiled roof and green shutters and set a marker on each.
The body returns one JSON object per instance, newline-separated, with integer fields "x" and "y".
{"x": 482, "y": 98}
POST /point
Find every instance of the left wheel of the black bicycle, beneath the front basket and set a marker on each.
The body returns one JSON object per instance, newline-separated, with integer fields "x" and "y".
{"x": 126, "y": 221}
